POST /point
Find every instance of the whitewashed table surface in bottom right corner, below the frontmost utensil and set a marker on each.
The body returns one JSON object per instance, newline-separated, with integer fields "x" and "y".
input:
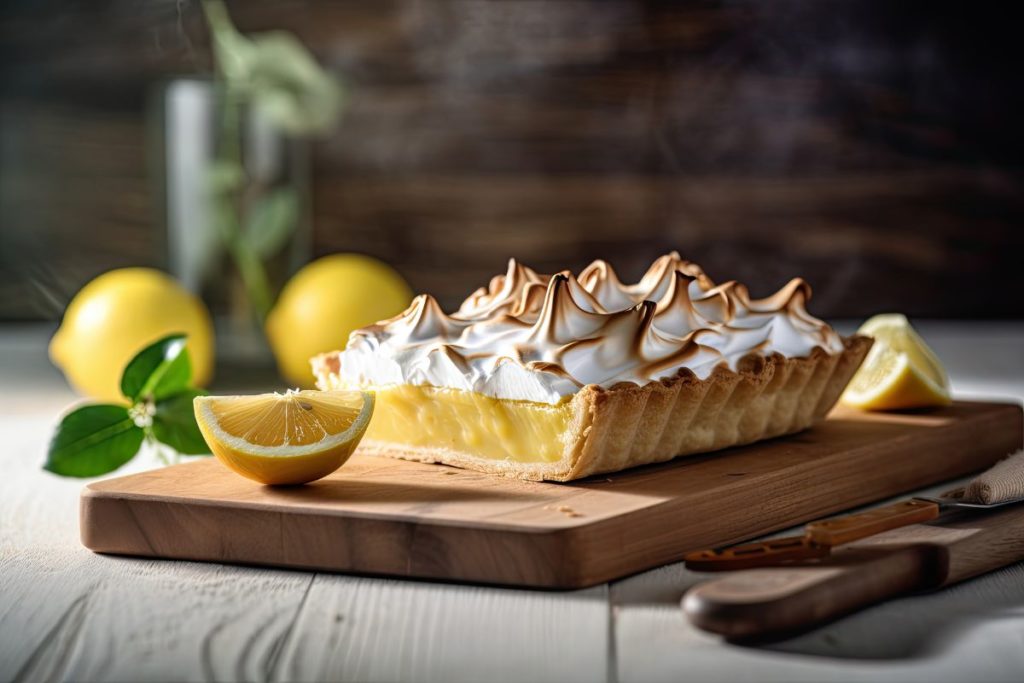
{"x": 967, "y": 632}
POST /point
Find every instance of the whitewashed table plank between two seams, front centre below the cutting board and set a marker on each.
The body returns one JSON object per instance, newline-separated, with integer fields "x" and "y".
{"x": 373, "y": 630}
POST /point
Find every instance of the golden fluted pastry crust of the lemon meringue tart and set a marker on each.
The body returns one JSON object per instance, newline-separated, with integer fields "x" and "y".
{"x": 630, "y": 425}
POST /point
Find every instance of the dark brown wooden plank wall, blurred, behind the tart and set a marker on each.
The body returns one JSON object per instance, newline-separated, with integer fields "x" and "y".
{"x": 875, "y": 148}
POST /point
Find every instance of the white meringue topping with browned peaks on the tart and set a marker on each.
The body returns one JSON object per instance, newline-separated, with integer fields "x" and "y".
{"x": 536, "y": 337}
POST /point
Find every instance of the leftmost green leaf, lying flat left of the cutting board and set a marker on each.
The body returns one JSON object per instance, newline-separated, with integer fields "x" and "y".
{"x": 94, "y": 441}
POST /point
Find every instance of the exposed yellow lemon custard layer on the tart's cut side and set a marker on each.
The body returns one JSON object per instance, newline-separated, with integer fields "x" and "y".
{"x": 465, "y": 421}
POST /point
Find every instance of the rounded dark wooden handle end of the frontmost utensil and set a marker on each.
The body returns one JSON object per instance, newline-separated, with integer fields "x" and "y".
{"x": 778, "y": 602}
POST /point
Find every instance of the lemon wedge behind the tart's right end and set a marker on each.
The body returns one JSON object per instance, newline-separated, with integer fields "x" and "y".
{"x": 900, "y": 372}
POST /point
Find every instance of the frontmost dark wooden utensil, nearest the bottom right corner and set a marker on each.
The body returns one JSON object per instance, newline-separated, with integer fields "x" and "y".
{"x": 772, "y": 603}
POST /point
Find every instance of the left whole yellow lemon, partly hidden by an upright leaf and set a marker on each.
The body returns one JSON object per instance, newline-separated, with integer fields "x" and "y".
{"x": 115, "y": 317}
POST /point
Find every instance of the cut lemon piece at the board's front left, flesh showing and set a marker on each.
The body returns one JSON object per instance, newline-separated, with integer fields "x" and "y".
{"x": 294, "y": 438}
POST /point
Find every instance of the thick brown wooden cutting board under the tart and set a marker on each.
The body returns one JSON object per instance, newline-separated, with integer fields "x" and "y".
{"x": 383, "y": 517}
